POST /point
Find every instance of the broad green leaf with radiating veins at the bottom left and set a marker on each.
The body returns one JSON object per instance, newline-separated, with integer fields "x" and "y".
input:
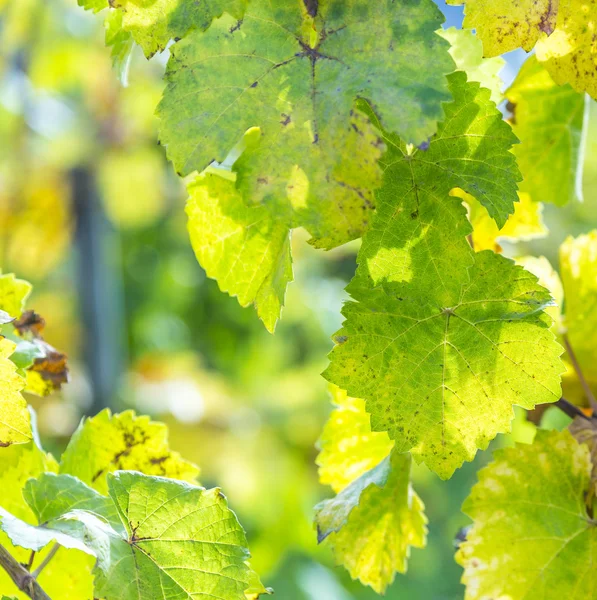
{"x": 179, "y": 541}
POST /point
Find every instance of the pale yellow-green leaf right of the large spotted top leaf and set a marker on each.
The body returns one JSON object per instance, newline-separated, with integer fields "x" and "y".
{"x": 467, "y": 51}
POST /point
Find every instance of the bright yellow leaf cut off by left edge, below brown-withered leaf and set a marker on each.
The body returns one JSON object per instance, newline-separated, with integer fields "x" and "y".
{"x": 15, "y": 423}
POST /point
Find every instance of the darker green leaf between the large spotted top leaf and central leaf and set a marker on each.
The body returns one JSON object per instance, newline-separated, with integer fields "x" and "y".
{"x": 471, "y": 151}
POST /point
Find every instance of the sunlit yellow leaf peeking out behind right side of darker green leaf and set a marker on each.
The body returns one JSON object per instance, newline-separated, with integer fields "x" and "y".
{"x": 525, "y": 224}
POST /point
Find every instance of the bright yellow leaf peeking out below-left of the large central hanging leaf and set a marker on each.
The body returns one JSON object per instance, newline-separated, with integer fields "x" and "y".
{"x": 348, "y": 447}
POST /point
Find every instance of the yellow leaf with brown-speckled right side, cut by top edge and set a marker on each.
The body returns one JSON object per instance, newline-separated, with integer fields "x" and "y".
{"x": 504, "y": 25}
